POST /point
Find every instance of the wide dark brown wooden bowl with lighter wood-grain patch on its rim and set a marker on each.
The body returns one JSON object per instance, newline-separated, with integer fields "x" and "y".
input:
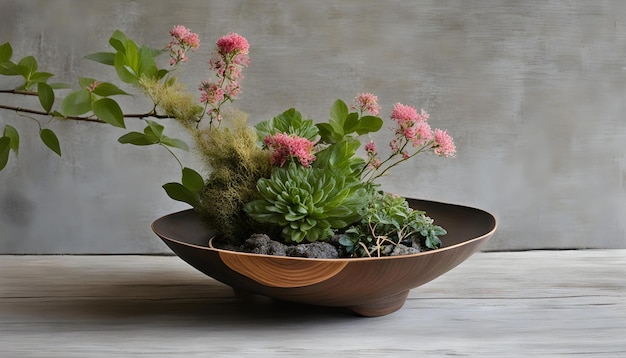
{"x": 366, "y": 286}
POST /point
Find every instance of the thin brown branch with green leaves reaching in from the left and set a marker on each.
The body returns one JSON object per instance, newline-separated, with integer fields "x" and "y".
{"x": 93, "y": 101}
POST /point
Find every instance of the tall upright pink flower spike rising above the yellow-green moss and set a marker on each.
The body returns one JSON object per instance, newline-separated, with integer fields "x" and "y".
{"x": 230, "y": 57}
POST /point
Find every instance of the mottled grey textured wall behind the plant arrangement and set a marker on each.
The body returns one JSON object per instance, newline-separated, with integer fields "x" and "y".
{"x": 534, "y": 93}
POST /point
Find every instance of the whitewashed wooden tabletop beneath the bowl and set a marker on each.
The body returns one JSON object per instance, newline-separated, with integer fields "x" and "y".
{"x": 516, "y": 304}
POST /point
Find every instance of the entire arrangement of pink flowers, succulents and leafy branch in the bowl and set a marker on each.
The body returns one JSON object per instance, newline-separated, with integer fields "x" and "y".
{"x": 288, "y": 178}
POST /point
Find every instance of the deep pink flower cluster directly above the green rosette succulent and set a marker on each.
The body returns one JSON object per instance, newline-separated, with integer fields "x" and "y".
{"x": 285, "y": 147}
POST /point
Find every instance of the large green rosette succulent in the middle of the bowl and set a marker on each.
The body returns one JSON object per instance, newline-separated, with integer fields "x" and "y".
{"x": 308, "y": 203}
